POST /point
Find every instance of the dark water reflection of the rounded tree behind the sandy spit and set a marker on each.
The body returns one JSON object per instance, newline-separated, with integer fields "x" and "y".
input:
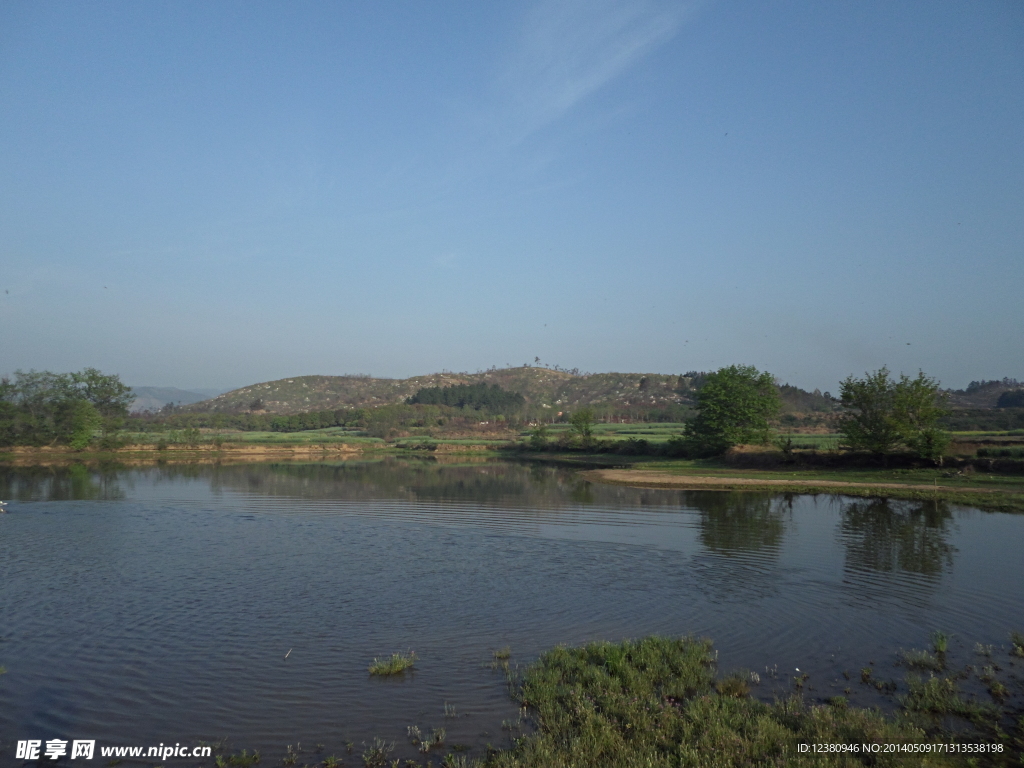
{"x": 735, "y": 523}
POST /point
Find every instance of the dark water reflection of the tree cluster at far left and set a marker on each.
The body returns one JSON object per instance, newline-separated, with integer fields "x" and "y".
{"x": 73, "y": 483}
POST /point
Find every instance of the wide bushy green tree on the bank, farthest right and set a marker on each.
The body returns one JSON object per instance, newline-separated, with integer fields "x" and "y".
{"x": 885, "y": 414}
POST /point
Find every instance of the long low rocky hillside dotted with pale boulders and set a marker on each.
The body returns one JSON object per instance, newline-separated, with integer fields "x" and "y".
{"x": 542, "y": 388}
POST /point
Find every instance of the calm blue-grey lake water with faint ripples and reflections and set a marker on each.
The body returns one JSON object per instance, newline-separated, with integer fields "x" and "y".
{"x": 141, "y": 607}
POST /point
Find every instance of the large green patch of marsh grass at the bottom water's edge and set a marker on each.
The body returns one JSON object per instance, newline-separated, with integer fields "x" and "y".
{"x": 657, "y": 703}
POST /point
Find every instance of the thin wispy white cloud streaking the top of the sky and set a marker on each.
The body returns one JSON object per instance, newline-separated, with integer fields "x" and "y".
{"x": 570, "y": 49}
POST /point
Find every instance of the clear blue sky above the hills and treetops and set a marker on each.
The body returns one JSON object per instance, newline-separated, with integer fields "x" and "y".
{"x": 216, "y": 194}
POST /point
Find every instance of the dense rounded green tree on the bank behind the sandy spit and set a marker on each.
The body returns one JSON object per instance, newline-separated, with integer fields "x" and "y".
{"x": 735, "y": 406}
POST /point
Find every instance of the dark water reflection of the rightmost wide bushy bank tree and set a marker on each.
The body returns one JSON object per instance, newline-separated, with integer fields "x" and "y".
{"x": 885, "y": 535}
